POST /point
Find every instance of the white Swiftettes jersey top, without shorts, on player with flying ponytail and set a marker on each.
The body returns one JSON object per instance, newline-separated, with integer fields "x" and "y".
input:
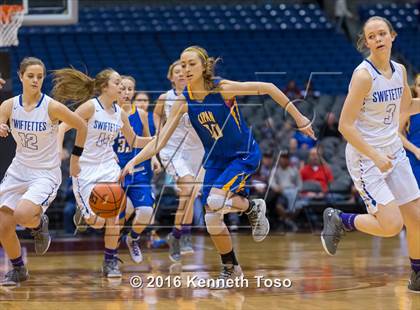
{"x": 103, "y": 128}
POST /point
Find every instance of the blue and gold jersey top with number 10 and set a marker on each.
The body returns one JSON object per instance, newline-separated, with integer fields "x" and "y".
{"x": 221, "y": 128}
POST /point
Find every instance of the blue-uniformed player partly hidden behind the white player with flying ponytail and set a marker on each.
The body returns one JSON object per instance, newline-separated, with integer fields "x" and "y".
{"x": 138, "y": 185}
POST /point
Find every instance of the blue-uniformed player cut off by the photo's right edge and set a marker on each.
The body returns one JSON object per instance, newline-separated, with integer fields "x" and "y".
{"x": 410, "y": 130}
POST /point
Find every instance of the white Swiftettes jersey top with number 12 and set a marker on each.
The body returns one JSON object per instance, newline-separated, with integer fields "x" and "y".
{"x": 35, "y": 135}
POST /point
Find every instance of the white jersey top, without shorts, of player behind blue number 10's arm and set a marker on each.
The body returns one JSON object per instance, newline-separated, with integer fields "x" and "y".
{"x": 184, "y": 134}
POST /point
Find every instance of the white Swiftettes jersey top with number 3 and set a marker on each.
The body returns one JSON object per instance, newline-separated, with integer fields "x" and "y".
{"x": 379, "y": 117}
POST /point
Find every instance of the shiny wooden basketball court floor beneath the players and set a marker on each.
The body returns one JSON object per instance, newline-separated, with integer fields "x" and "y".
{"x": 366, "y": 273}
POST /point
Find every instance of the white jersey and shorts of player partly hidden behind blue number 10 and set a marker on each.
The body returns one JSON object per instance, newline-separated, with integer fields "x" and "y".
{"x": 184, "y": 152}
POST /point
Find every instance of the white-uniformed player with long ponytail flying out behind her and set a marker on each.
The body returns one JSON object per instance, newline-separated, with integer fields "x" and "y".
{"x": 98, "y": 160}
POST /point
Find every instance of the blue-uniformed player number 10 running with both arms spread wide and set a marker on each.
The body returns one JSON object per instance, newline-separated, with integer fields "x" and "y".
{"x": 231, "y": 153}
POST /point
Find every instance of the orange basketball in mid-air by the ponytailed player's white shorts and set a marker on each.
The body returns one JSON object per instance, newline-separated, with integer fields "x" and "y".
{"x": 107, "y": 199}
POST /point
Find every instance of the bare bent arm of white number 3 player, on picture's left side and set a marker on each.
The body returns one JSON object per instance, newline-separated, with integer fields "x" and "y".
{"x": 359, "y": 88}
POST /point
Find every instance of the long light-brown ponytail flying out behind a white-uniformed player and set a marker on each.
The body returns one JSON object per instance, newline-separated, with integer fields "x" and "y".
{"x": 73, "y": 85}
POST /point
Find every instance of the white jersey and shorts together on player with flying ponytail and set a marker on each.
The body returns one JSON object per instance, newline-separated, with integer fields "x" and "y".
{"x": 98, "y": 162}
